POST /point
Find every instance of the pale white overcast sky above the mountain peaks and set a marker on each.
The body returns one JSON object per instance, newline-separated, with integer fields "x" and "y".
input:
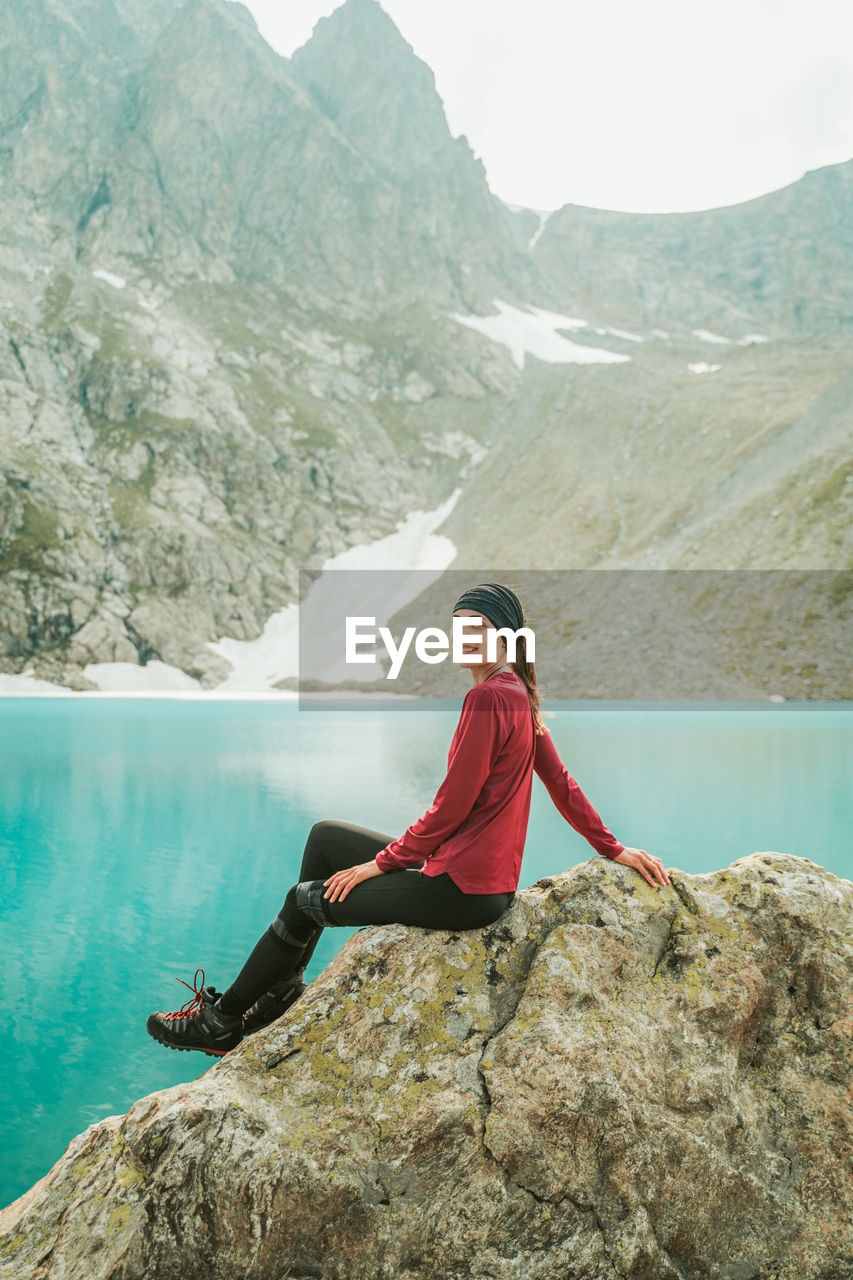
{"x": 641, "y": 106}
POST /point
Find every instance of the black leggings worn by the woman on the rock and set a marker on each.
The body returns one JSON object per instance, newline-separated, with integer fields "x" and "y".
{"x": 395, "y": 898}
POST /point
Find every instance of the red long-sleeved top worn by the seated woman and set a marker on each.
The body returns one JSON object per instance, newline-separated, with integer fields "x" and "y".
{"x": 477, "y": 825}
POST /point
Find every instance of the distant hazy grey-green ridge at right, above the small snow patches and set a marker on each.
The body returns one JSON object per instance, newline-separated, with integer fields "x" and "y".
{"x": 779, "y": 263}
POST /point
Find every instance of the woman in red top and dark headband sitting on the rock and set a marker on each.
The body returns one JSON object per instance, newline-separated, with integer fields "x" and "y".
{"x": 457, "y": 868}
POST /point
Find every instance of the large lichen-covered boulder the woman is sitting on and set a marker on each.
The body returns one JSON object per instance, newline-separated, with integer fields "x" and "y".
{"x": 615, "y": 1080}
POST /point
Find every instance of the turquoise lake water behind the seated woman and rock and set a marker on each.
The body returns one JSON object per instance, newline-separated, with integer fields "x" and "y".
{"x": 142, "y": 839}
